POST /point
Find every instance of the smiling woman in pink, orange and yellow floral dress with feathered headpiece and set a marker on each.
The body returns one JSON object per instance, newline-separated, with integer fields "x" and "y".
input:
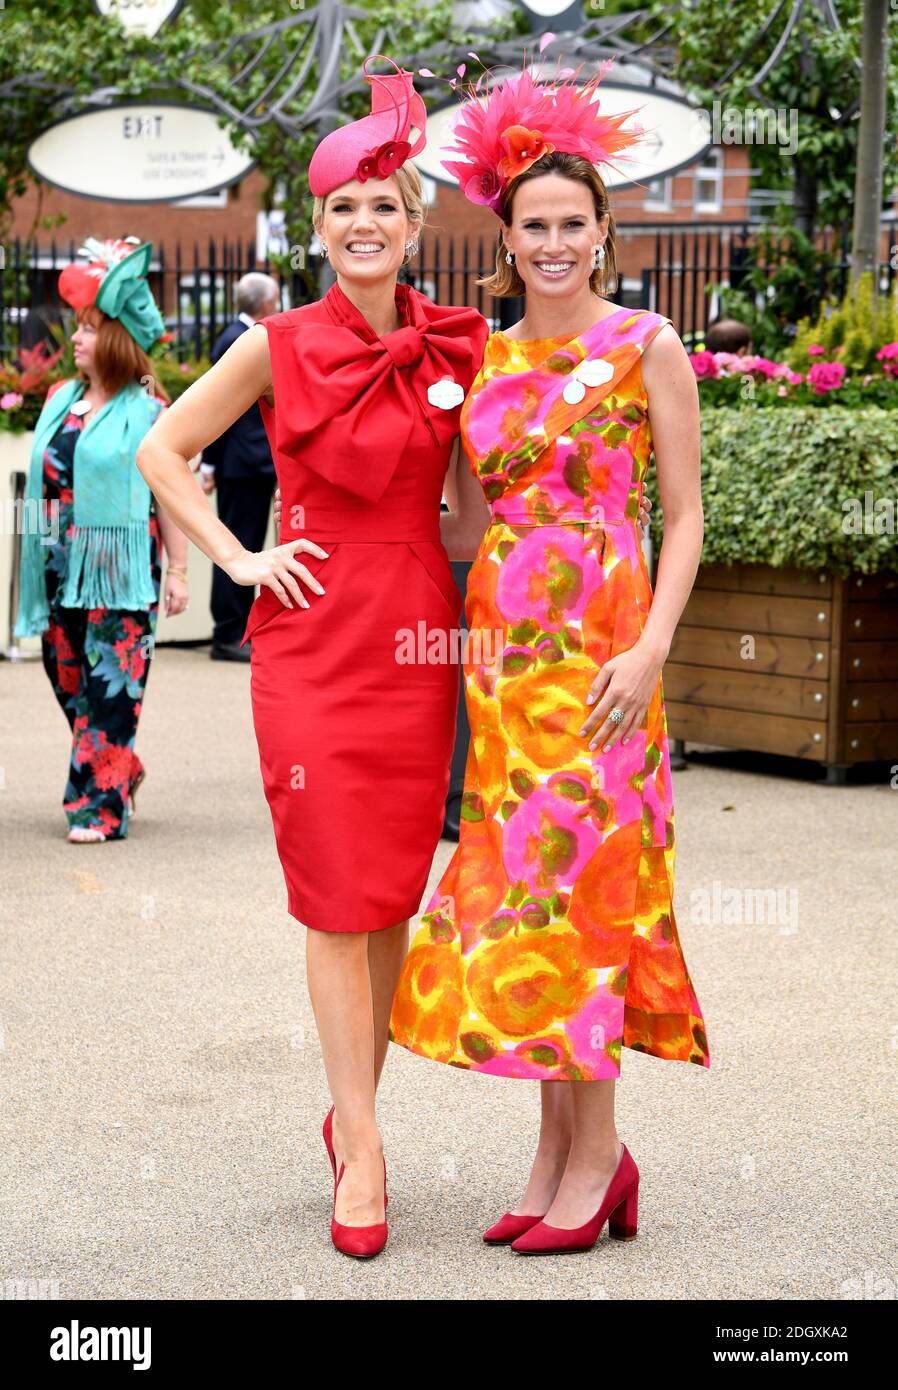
{"x": 551, "y": 942}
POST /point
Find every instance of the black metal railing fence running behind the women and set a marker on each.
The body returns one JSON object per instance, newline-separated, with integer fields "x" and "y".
{"x": 673, "y": 269}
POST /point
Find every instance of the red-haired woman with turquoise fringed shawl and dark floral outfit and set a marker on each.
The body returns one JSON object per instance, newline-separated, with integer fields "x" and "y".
{"x": 90, "y": 586}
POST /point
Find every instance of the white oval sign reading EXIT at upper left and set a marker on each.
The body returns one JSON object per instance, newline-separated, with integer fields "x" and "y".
{"x": 140, "y": 152}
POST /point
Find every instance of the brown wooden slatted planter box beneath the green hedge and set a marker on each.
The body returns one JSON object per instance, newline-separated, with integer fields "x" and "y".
{"x": 801, "y": 664}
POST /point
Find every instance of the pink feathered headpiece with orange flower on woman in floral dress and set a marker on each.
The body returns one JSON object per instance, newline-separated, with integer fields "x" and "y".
{"x": 503, "y": 133}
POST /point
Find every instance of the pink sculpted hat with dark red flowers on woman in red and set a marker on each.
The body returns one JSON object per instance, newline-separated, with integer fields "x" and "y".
{"x": 379, "y": 144}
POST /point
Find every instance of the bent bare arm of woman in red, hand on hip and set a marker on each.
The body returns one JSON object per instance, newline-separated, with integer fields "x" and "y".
{"x": 198, "y": 418}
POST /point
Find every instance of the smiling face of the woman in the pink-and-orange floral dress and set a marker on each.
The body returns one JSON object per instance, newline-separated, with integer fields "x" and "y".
{"x": 554, "y": 234}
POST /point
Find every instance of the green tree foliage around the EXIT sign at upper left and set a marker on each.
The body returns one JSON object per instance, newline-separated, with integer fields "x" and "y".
{"x": 55, "y": 56}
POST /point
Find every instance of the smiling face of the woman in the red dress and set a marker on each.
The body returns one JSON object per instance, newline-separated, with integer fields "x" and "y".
{"x": 365, "y": 229}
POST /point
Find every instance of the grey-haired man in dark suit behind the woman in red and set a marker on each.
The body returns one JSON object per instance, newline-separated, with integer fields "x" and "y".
{"x": 240, "y": 468}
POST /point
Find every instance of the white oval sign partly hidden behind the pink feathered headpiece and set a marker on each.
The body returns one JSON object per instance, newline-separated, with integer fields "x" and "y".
{"x": 676, "y": 136}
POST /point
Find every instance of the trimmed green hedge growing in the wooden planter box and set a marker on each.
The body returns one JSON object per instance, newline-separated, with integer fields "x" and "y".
{"x": 775, "y": 482}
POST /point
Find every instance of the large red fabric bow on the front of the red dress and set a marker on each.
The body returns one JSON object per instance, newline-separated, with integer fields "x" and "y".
{"x": 348, "y": 401}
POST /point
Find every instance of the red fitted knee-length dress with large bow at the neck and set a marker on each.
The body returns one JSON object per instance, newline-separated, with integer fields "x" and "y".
{"x": 355, "y": 742}
